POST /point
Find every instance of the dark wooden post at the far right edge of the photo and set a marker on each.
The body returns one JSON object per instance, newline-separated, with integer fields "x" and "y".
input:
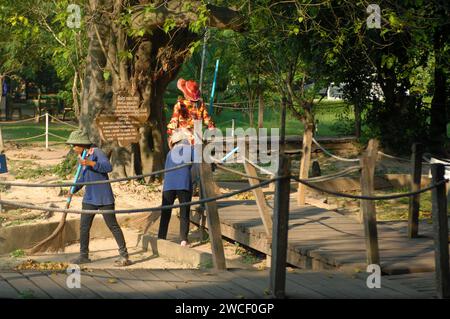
{"x": 440, "y": 232}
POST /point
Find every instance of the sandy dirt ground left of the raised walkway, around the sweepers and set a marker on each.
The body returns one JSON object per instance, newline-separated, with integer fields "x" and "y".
{"x": 35, "y": 163}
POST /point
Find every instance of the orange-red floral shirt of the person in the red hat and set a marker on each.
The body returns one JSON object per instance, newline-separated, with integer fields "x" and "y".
{"x": 185, "y": 113}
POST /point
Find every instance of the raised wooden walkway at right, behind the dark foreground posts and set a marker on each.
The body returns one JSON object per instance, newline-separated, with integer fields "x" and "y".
{"x": 323, "y": 239}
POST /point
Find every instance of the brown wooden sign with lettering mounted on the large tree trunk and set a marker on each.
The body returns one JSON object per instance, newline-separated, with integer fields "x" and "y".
{"x": 122, "y": 123}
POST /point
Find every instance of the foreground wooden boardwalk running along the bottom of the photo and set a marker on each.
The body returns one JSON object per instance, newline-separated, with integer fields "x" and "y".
{"x": 198, "y": 284}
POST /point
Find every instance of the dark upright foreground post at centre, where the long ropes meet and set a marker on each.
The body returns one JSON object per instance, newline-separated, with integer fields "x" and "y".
{"x": 280, "y": 230}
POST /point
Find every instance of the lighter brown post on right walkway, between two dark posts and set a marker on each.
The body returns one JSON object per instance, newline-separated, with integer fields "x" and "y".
{"x": 368, "y": 212}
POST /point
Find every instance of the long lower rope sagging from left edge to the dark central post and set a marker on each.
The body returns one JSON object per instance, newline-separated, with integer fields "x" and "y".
{"x": 137, "y": 210}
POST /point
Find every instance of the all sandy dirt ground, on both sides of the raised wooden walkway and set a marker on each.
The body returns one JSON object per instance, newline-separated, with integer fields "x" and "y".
{"x": 34, "y": 164}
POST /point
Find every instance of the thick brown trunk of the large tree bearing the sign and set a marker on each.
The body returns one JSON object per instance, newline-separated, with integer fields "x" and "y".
{"x": 157, "y": 58}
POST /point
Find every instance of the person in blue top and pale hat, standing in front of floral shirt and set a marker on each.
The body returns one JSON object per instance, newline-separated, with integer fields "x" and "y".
{"x": 177, "y": 184}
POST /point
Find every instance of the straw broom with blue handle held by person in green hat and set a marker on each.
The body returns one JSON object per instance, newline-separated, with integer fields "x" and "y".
{"x": 55, "y": 242}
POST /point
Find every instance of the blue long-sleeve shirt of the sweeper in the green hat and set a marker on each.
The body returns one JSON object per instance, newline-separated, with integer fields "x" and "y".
{"x": 100, "y": 194}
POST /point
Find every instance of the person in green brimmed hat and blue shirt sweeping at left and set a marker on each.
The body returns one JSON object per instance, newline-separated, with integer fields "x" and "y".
{"x": 96, "y": 167}
